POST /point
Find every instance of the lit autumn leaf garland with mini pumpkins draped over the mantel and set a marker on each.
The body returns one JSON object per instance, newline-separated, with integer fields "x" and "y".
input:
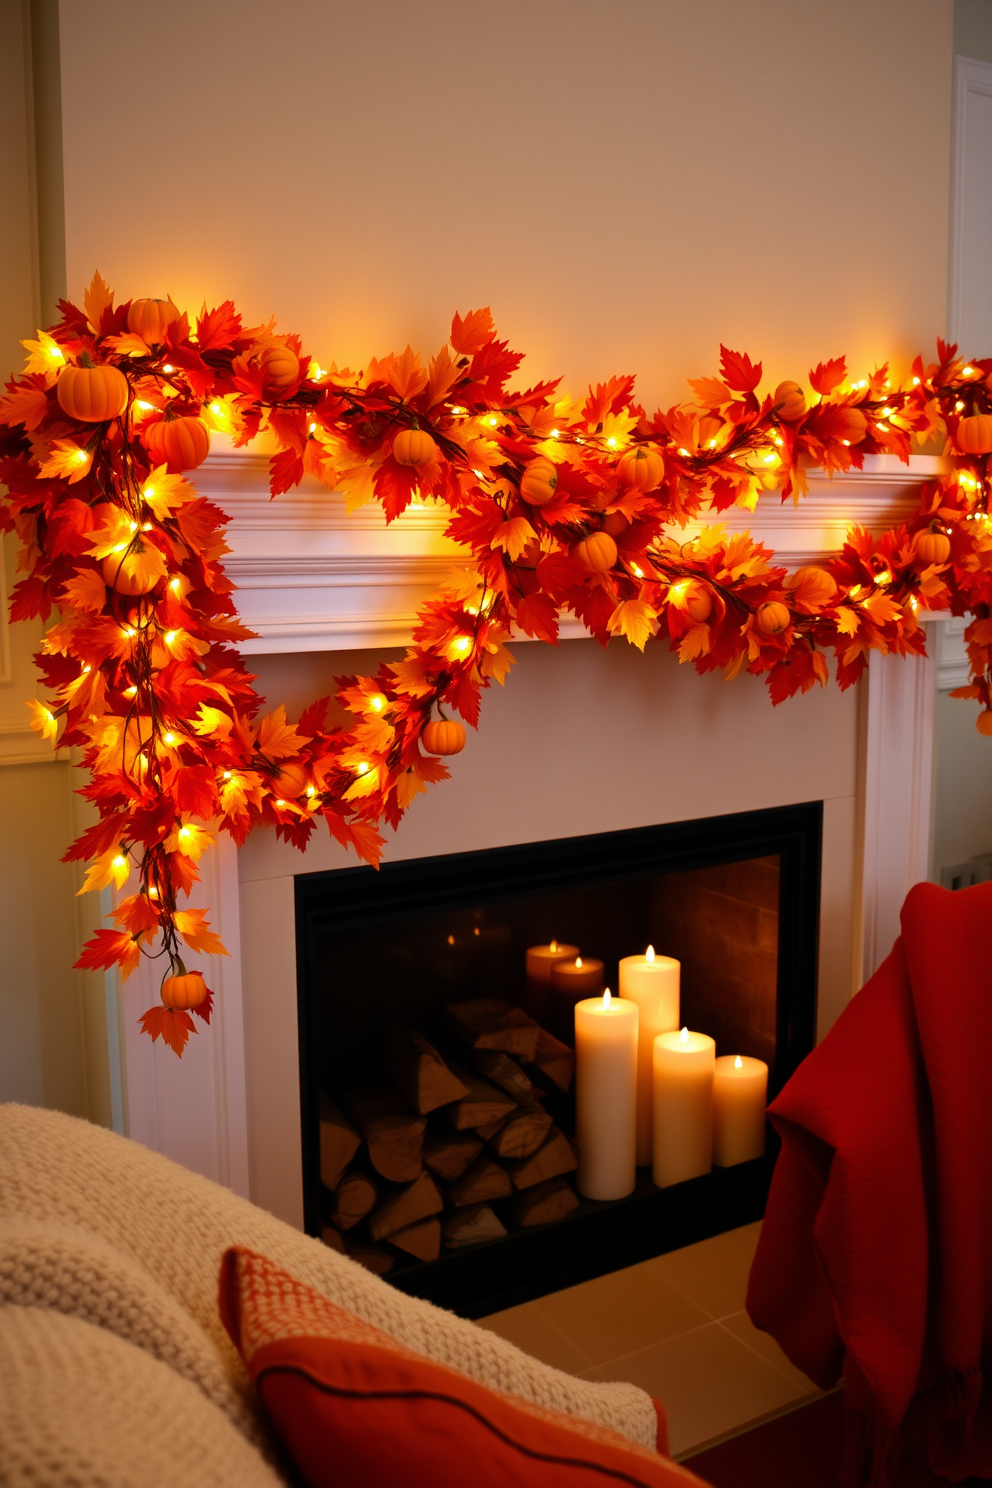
{"x": 563, "y": 507}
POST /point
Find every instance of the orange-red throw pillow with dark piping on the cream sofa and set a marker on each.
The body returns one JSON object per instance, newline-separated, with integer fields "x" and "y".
{"x": 358, "y": 1410}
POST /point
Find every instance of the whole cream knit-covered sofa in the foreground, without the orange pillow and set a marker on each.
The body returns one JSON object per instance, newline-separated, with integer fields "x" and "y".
{"x": 115, "y": 1365}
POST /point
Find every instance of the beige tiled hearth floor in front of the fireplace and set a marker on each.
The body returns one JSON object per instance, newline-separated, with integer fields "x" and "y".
{"x": 676, "y": 1327}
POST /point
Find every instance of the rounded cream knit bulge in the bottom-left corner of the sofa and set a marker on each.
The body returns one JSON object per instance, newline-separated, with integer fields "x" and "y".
{"x": 81, "y": 1408}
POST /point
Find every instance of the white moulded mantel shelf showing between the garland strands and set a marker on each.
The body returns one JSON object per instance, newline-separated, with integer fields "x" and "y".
{"x": 315, "y": 578}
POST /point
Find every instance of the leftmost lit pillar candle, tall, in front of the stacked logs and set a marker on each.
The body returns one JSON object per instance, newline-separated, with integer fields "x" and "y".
{"x": 606, "y": 1096}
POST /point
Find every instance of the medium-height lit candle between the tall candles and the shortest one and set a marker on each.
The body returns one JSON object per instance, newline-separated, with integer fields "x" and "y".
{"x": 683, "y": 1106}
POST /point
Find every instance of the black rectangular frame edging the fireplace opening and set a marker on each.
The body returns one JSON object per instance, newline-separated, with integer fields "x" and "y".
{"x": 602, "y": 1237}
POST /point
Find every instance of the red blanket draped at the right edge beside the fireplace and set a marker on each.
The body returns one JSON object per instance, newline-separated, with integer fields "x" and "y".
{"x": 875, "y": 1260}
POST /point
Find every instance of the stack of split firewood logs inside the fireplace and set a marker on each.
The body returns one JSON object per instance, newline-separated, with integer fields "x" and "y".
{"x": 456, "y": 1148}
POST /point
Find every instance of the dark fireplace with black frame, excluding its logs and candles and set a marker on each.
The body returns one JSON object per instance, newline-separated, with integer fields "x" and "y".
{"x": 734, "y": 898}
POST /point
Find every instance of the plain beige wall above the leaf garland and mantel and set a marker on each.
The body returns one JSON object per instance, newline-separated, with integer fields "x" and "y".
{"x": 627, "y": 182}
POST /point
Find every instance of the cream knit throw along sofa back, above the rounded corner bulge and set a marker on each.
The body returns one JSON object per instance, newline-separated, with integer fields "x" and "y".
{"x": 100, "y": 1228}
